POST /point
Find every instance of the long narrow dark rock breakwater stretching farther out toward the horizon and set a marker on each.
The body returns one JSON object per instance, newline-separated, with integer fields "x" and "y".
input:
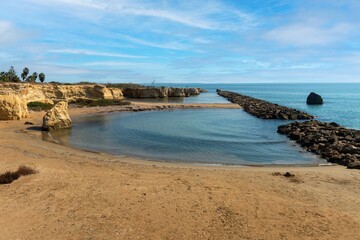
{"x": 263, "y": 109}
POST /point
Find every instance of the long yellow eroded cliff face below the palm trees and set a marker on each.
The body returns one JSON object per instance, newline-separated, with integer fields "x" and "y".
{"x": 50, "y": 92}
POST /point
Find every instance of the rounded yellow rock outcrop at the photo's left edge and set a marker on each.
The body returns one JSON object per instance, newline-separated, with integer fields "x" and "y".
{"x": 12, "y": 107}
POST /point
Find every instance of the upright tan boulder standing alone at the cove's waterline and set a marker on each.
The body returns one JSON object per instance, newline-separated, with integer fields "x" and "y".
{"x": 57, "y": 118}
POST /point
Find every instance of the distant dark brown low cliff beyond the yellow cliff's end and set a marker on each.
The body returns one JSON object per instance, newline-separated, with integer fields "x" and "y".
{"x": 160, "y": 92}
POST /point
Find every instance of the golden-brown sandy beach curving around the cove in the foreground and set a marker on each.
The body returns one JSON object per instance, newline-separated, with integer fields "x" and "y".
{"x": 83, "y": 195}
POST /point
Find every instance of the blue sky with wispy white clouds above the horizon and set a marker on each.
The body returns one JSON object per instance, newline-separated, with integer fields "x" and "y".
{"x": 188, "y": 41}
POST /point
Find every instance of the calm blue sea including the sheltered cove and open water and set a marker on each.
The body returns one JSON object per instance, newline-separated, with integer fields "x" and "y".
{"x": 215, "y": 136}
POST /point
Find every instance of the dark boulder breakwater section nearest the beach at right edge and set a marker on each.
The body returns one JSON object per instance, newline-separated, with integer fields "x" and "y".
{"x": 329, "y": 140}
